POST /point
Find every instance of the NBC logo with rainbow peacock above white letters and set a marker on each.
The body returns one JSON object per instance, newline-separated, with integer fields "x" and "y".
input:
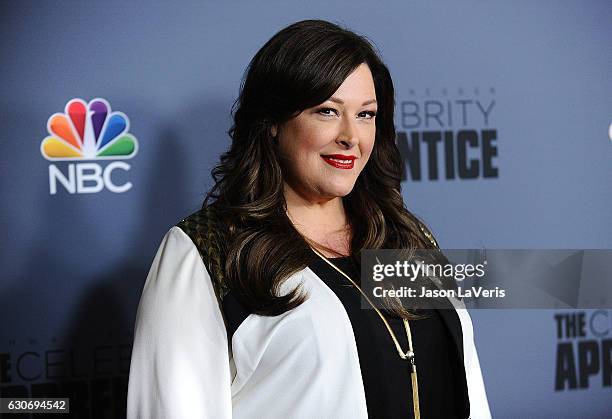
{"x": 85, "y": 132}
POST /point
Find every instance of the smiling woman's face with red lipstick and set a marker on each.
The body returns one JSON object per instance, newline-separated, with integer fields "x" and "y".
{"x": 326, "y": 147}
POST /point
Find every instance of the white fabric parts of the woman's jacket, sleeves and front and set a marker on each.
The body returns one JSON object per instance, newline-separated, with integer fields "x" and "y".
{"x": 274, "y": 367}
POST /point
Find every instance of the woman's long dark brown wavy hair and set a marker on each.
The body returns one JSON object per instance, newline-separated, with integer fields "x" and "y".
{"x": 257, "y": 245}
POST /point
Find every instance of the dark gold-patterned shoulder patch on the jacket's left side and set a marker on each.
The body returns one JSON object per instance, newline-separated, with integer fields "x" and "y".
{"x": 201, "y": 229}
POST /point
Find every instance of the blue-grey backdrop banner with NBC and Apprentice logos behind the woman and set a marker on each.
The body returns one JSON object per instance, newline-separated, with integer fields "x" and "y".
{"x": 503, "y": 113}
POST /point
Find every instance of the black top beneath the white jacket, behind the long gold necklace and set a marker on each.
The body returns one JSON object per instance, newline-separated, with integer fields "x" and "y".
{"x": 386, "y": 377}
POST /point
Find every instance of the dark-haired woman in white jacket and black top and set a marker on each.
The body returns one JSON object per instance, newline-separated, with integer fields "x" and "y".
{"x": 252, "y": 305}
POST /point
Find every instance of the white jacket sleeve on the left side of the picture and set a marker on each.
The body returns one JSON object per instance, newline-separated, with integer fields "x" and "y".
{"x": 180, "y": 360}
